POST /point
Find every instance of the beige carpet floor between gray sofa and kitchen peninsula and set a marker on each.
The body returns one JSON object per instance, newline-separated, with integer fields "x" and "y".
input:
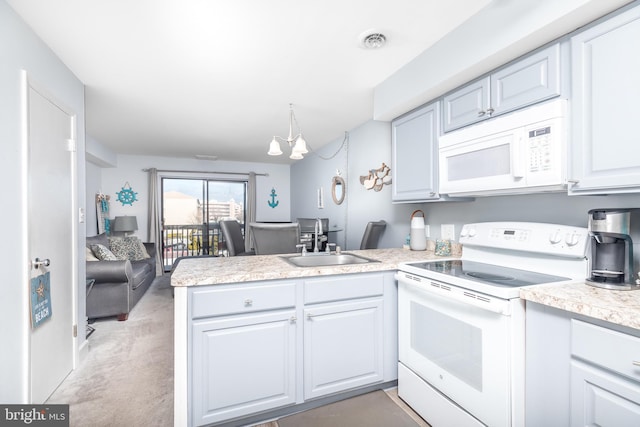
{"x": 127, "y": 377}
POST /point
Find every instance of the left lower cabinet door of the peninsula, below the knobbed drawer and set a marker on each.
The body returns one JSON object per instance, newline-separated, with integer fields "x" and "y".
{"x": 242, "y": 365}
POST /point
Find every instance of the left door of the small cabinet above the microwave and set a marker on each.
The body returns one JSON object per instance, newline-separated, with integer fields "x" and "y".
{"x": 467, "y": 105}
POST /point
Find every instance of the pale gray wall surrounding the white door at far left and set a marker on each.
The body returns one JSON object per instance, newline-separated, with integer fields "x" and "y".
{"x": 20, "y": 49}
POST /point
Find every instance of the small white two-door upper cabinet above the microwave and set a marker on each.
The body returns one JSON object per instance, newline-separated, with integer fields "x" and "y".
{"x": 532, "y": 79}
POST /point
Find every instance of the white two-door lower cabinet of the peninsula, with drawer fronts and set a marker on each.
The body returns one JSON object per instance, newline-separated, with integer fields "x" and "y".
{"x": 261, "y": 346}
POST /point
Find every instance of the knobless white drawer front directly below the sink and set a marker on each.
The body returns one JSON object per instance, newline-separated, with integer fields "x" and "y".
{"x": 343, "y": 287}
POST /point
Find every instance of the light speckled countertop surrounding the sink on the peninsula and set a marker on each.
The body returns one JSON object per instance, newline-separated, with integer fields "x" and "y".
{"x": 211, "y": 271}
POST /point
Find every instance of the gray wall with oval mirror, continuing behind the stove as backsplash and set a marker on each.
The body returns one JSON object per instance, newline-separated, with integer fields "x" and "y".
{"x": 369, "y": 146}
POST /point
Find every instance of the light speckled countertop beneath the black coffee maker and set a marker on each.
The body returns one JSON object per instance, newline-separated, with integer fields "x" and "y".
{"x": 619, "y": 307}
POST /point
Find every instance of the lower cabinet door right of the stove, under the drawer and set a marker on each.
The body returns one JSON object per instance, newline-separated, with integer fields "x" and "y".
{"x": 599, "y": 398}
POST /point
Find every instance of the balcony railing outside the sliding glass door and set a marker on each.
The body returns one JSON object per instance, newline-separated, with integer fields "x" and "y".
{"x": 190, "y": 240}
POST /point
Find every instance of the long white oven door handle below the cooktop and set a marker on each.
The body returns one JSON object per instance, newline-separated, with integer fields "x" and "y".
{"x": 427, "y": 286}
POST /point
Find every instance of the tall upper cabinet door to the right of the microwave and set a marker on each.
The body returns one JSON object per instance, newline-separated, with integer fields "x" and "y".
{"x": 605, "y": 150}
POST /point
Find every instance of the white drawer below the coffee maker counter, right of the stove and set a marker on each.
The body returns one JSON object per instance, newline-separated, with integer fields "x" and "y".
{"x": 607, "y": 348}
